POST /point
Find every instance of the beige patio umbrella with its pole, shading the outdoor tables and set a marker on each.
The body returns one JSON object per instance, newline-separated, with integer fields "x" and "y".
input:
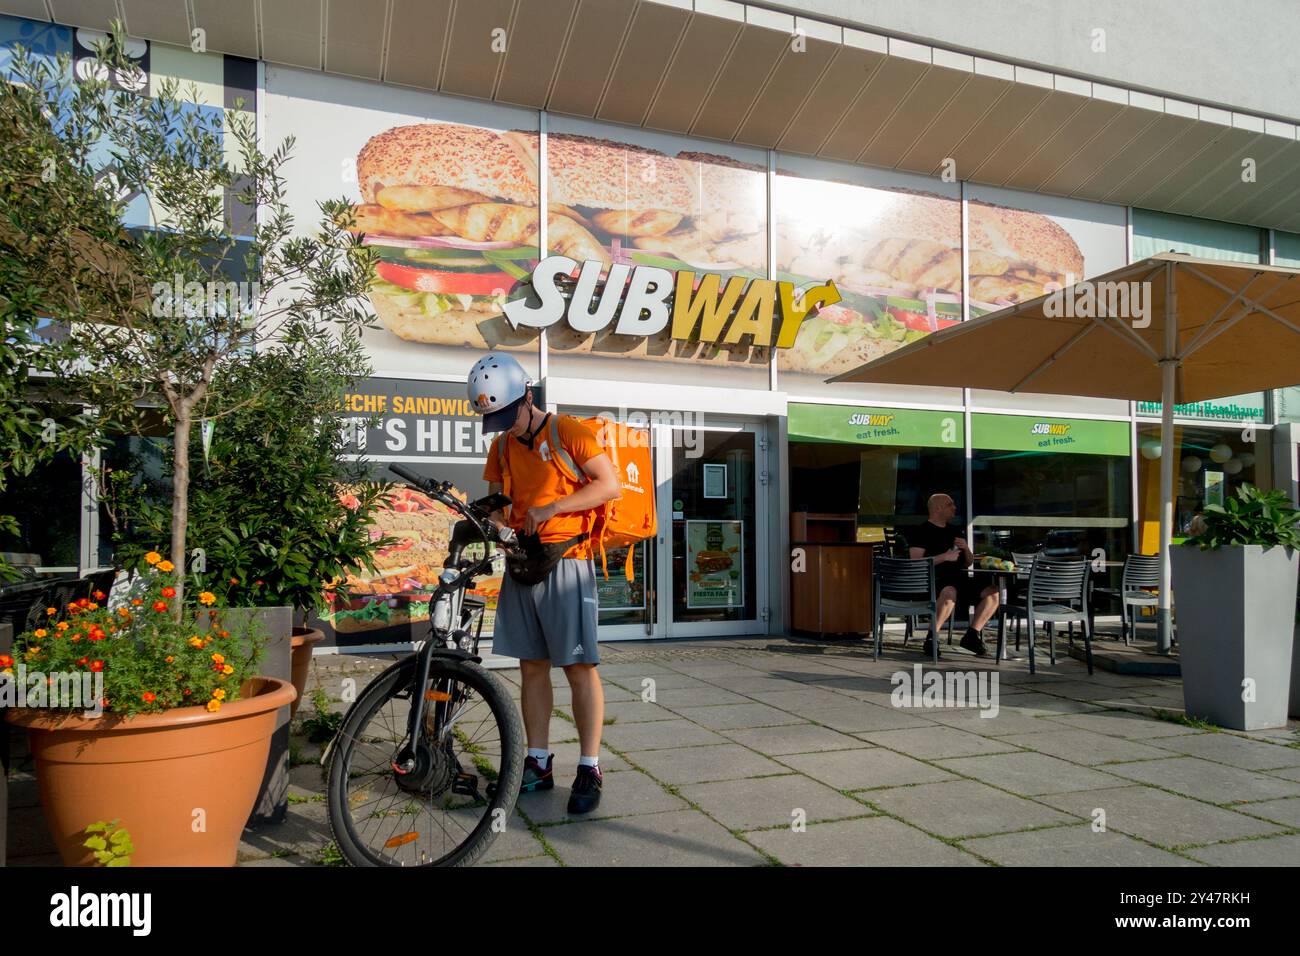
{"x": 1168, "y": 330}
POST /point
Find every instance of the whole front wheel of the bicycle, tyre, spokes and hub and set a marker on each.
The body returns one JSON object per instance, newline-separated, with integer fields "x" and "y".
{"x": 443, "y": 814}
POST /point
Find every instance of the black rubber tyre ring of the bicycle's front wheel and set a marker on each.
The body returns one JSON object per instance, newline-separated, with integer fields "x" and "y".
{"x": 388, "y": 687}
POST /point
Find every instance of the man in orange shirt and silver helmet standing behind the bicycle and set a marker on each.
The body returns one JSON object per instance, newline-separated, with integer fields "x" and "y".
{"x": 551, "y": 624}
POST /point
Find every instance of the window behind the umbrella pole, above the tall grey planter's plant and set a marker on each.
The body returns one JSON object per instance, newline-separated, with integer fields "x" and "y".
{"x": 1211, "y": 465}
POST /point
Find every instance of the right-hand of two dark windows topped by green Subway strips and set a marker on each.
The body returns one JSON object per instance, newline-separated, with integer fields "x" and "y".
{"x": 1061, "y": 485}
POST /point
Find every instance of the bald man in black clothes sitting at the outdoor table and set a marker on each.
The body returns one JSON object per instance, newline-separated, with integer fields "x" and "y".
{"x": 952, "y": 557}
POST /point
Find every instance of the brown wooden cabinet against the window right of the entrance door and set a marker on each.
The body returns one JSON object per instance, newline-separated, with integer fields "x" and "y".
{"x": 833, "y": 595}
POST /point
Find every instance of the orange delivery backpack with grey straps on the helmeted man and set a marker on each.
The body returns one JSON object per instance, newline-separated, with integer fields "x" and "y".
{"x": 626, "y": 521}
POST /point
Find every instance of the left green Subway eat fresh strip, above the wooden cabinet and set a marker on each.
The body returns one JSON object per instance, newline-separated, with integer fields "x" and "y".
{"x": 865, "y": 425}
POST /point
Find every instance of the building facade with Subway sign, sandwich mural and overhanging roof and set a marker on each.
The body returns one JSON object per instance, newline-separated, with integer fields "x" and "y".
{"x": 931, "y": 167}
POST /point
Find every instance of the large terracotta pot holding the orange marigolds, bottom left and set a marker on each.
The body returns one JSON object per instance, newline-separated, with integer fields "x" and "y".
{"x": 154, "y": 772}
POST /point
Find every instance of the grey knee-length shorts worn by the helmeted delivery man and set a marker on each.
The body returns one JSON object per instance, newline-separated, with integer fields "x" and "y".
{"x": 554, "y": 620}
